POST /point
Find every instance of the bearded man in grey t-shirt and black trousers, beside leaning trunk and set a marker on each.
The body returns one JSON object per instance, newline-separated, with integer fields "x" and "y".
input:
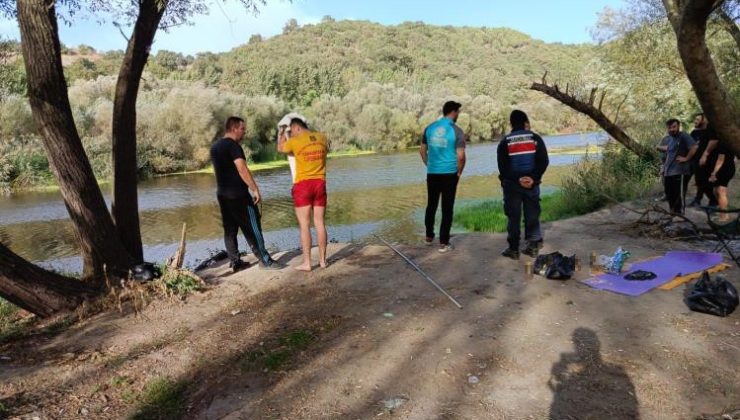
{"x": 679, "y": 149}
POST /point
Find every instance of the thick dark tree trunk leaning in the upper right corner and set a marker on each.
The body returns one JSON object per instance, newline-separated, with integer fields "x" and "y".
{"x": 689, "y": 21}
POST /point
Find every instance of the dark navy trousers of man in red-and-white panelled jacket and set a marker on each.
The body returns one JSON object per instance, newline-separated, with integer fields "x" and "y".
{"x": 517, "y": 198}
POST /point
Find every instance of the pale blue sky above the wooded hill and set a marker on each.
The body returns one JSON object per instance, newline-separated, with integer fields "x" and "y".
{"x": 229, "y": 25}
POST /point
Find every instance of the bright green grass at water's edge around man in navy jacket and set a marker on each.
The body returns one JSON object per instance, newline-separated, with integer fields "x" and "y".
{"x": 489, "y": 216}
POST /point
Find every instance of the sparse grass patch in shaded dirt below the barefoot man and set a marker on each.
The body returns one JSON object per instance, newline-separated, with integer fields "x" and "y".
{"x": 279, "y": 353}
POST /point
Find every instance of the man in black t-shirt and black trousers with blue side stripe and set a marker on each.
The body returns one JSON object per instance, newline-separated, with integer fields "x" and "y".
{"x": 238, "y": 195}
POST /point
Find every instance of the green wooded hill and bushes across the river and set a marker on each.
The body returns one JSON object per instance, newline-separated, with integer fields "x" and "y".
{"x": 369, "y": 87}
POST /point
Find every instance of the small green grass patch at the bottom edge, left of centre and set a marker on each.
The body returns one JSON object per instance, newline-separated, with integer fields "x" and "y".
{"x": 163, "y": 399}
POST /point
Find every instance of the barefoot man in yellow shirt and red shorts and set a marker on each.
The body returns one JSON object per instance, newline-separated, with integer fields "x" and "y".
{"x": 309, "y": 186}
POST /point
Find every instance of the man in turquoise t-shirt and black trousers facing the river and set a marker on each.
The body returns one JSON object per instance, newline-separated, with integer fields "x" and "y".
{"x": 443, "y": 153}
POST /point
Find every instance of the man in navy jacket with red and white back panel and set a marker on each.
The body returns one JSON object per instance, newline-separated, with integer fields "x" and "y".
{"x": 522, "y": 160}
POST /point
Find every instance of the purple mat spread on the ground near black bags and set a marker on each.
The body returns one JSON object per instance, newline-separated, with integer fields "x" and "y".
{"x": 674, "y": 263}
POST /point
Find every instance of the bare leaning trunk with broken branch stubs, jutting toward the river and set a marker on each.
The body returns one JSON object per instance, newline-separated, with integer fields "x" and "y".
{"x": 595, "y": 114}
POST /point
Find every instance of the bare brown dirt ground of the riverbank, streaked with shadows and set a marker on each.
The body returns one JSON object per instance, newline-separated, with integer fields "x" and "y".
{"x": 369, "y": 338}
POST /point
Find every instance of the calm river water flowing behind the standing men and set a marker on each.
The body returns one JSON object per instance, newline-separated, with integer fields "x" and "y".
{"x": 380, "y": 193}
